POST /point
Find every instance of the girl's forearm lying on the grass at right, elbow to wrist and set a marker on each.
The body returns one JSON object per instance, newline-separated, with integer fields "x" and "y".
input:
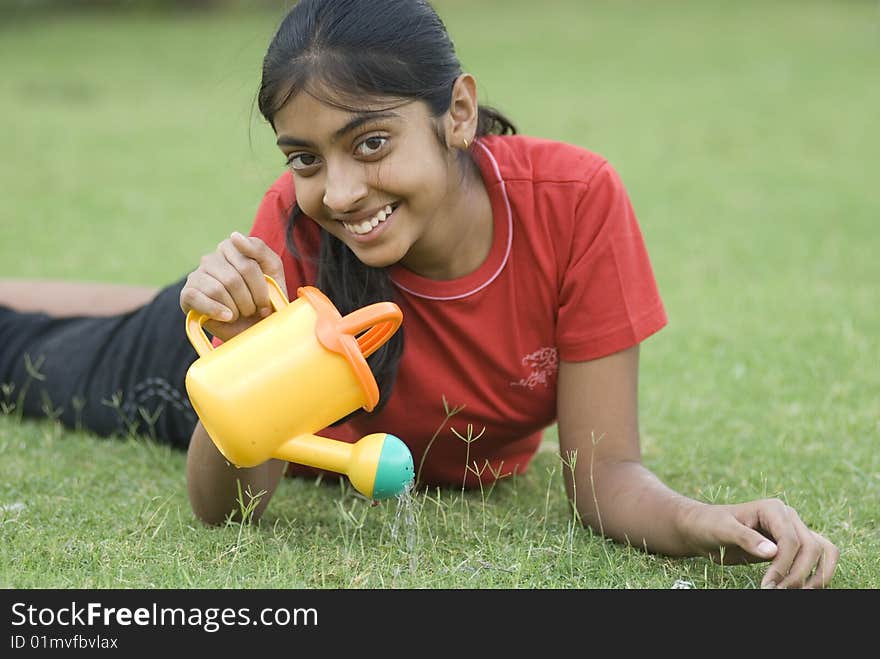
{"x": 625, "y": 501}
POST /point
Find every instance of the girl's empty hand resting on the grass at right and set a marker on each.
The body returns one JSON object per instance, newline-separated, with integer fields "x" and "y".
{"x": 763, "y": 530}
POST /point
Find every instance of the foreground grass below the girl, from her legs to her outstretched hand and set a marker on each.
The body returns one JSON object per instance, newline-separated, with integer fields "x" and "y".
{"x": 116, "y": 516}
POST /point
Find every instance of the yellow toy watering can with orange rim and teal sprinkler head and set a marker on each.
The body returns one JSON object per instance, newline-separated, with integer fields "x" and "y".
{"x": 263, "y": 393}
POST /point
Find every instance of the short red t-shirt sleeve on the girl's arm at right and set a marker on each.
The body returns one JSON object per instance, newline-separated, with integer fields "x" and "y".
{"x": 609, "y": 299}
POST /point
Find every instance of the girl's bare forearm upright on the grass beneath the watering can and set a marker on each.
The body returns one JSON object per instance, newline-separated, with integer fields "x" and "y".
{"x": 218, "y": 489}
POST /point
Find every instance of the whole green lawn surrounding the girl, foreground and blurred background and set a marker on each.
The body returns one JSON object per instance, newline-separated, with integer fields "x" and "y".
{"x": 746, "y": 135}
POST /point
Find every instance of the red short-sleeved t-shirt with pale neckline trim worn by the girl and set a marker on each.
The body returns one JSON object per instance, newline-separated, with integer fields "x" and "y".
{"x": 567, "y": 277}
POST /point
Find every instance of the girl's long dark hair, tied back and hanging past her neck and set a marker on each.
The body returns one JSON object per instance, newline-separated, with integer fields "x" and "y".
{"x": 356, "y": 49}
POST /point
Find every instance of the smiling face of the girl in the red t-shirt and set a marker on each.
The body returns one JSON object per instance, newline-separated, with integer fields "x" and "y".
{"x": 378, "y": 179}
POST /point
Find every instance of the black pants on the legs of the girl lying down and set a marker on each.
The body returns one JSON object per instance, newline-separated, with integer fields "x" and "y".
{"x": 115, "y": 375}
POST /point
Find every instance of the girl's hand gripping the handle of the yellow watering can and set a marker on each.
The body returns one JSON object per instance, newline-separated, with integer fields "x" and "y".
{"x": 229, "y": 285}
